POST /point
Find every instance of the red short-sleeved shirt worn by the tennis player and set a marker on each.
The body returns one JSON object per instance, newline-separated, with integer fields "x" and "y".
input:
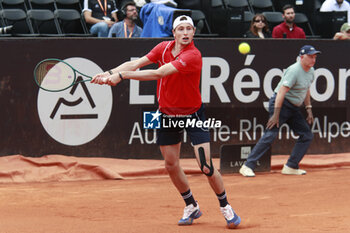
{"x": 178, "y": 94}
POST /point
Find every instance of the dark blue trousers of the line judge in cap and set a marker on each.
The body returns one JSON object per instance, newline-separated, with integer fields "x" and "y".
{"x": 291, "y": 115}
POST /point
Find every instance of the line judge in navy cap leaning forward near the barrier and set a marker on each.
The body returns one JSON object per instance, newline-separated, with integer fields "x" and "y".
{"x": 284, "y": 107}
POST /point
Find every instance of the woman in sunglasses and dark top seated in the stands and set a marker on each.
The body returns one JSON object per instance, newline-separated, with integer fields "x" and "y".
{"x": 258, "y": 28}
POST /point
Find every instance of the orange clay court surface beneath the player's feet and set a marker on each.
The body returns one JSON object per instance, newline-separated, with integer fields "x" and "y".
{"x": 69, "y": 194}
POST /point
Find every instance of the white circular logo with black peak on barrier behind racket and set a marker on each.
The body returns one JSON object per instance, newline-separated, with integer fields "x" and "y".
{"x": 77, "y": 115}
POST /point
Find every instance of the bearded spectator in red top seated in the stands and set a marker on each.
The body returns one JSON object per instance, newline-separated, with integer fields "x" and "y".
{"x": 288, "y": 29}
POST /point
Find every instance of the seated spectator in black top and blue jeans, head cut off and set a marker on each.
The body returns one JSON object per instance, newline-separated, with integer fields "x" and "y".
{"x": 100, "y": 15}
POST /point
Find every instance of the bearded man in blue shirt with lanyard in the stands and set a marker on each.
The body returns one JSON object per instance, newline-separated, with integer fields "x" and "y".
{"x": 127, "y": 28}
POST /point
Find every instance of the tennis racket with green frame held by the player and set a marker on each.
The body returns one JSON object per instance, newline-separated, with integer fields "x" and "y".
{"x": 56, "y": 75}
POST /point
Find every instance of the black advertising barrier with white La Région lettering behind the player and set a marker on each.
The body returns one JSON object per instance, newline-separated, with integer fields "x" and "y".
{"x": 108, "y": 122}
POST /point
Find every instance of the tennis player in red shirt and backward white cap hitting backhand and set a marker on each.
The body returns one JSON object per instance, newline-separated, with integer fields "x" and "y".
{"x": 178, "y": 75}
